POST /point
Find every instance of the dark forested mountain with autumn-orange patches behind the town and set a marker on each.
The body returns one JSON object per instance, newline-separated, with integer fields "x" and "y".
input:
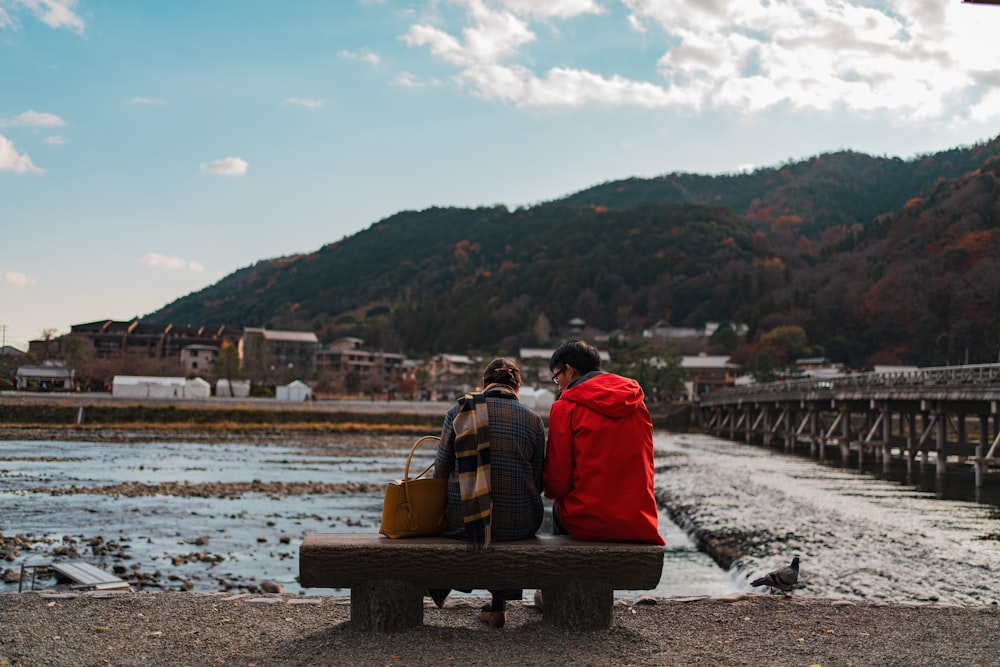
{"x": 875, "y": 259}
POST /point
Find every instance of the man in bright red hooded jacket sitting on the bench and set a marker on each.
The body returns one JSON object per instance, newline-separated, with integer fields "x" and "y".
{"x": 599, "y": 459}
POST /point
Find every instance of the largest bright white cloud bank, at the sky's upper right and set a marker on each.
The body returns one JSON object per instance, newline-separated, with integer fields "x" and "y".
{"x": 912, "y": 59}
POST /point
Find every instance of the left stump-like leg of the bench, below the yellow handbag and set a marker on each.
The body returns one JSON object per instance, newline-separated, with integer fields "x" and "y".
{"x": 386, "y": 605}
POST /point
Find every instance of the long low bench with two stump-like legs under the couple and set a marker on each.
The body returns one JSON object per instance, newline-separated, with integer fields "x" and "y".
{"x": 389, "y": 578}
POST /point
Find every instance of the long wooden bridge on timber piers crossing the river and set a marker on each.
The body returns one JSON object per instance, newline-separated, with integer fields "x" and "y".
{"x": 949, "y": 413}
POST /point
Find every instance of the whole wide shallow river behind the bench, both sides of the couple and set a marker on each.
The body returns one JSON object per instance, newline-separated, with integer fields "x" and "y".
{"x": 858, "y": 536}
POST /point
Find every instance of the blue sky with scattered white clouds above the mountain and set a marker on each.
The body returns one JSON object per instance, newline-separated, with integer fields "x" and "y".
{"x": 148, "y": 149}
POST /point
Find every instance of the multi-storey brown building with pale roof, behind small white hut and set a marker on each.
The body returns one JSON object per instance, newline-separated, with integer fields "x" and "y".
{"x": 277, "y": 357}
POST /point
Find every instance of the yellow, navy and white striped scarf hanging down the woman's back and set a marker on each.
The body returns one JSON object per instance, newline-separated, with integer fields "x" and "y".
{"x": 472, "y": 451}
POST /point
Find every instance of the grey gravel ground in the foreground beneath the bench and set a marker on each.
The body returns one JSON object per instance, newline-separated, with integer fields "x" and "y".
{"x": 221, "y": 629}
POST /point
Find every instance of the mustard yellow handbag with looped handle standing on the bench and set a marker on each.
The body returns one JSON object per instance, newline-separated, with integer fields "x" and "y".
{"x": 414, "y": 507}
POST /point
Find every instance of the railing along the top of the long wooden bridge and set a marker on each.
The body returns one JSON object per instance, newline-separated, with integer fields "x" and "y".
{"x": 979, "y": 375}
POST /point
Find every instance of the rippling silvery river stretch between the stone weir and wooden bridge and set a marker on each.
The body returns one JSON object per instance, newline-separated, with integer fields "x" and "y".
{"x": 858, "y": 536}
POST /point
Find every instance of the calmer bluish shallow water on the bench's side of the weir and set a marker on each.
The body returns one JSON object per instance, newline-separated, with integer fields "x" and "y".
{"x": 219, "y": 542}
